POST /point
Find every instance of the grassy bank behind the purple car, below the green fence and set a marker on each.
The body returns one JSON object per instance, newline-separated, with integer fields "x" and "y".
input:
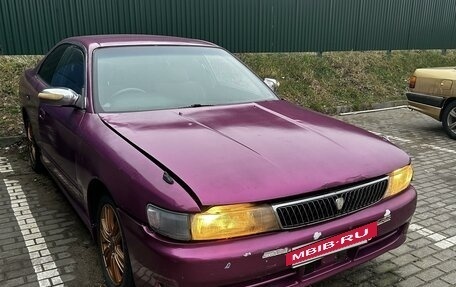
{"x": 357, "y": 79}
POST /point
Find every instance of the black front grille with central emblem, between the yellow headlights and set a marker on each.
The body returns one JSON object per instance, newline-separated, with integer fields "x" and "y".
{"x": 324, "y": 207}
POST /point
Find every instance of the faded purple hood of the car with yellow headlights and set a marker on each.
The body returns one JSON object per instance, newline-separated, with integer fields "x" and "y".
{"x": 258, "y": 151}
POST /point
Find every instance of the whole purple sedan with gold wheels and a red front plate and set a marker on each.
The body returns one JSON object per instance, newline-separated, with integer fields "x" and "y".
{"x": 190, "y": 171}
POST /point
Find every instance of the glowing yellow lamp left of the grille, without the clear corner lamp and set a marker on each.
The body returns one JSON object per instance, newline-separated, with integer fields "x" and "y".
{"x": 221, "y": 222}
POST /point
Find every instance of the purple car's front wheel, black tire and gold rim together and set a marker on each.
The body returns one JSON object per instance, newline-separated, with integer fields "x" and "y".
{"x": 112, "y": 247}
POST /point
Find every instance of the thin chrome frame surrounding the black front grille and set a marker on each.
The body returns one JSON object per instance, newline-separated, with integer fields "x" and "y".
{"x": 327, "y": 195}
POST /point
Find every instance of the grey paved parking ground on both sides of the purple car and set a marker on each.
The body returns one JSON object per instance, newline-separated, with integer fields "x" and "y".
{"x": 43, "y": 242}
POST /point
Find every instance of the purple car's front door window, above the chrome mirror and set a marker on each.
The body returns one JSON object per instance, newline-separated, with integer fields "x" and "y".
{"x": 69, "y": 73}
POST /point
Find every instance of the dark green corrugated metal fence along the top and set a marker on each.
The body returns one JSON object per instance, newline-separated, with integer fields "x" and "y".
{"x": 33, "y": 26}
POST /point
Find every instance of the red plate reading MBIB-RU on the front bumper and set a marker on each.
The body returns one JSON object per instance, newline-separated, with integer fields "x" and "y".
{"x": 313, "y": 251}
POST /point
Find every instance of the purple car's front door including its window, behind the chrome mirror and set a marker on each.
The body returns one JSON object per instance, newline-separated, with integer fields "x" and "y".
{"x": 59, "y": 125}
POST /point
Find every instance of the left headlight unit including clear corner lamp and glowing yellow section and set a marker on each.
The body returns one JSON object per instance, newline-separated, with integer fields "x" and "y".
{"x": 217, "y": 222}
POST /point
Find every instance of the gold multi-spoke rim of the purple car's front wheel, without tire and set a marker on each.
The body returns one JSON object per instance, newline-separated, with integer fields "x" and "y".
{"x": 111, "y": 244}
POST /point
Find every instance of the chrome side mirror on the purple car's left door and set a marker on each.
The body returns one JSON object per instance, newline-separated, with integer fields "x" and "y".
{"x": 61, "y": 97}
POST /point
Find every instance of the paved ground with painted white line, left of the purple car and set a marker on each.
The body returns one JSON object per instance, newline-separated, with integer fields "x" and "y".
{"x": 42, "y": 240}
